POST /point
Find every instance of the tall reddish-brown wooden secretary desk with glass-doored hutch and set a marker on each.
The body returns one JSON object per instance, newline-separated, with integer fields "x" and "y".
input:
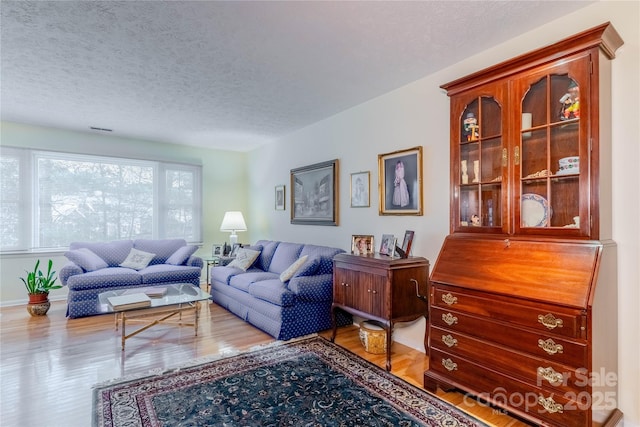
{"x": 523, "y": 295}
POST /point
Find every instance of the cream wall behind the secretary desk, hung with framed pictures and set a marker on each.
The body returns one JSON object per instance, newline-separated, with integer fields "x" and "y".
{"x": 417, "y": 114}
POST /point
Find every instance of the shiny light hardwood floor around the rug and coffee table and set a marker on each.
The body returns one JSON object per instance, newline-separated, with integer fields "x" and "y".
{"x": 49, "y": 364}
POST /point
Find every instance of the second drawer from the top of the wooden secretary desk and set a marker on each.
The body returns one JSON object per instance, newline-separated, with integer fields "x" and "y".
{"x": 556, "y": 349}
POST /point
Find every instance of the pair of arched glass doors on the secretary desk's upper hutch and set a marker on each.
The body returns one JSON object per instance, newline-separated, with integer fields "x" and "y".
{"x": 524, "y": 151}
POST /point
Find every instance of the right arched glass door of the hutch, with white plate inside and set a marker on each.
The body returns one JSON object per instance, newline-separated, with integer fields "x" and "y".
{"x": 551, "y": 156}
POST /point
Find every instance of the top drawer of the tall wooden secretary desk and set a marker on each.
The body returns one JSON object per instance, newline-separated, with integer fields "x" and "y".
{"x": 551, "y": 319}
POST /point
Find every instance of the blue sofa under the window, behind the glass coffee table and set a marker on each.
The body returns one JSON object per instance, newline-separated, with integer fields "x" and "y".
{"x": 95, "y": 267}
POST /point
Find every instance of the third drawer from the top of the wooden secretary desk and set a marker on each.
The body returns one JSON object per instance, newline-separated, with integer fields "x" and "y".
{"x": 532, "y": 370}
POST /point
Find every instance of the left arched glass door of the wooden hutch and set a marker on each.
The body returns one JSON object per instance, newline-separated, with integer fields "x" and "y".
{"x": 480, "y": 164}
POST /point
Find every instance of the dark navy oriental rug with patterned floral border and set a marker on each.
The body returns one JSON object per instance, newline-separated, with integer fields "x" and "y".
{"x": 305, "y": 382}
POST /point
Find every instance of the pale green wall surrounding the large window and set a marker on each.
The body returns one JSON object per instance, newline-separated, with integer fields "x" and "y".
{"x": 224, "y": 177}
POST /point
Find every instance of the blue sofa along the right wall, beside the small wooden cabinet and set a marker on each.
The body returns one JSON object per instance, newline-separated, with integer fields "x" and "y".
{"x": 284, "y": 310}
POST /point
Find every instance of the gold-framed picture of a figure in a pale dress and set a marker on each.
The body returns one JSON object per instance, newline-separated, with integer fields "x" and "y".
{"x": 400, "y": 181}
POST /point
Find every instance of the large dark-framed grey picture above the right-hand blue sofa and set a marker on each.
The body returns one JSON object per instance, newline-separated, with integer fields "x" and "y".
{"x": 314, "y": 194}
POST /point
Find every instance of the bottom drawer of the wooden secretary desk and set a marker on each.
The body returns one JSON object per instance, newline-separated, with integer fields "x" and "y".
{"x": 560, "y": 409}
